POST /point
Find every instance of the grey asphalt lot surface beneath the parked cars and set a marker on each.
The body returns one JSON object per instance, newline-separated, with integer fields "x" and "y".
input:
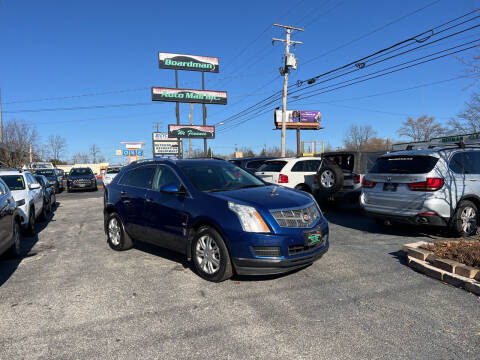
{"x": 72, "y": 297}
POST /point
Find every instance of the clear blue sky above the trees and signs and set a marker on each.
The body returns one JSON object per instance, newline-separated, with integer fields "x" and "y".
{"x": 101, "y": 59}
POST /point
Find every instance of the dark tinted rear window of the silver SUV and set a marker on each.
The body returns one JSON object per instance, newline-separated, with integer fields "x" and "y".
{"x": 403, "y": 164}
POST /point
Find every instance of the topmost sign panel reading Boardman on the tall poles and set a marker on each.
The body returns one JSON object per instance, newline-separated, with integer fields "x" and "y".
{"x": 187, "y": 62}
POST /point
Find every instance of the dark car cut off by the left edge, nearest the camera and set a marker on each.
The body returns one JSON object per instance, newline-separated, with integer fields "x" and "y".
{"x": 10, "y": 220}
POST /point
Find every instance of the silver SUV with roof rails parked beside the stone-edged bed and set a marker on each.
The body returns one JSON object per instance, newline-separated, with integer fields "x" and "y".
{"x": 438, "y": 187}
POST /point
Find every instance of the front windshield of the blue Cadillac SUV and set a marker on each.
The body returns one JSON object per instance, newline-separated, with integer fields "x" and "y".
{"x": 219, "y": 177}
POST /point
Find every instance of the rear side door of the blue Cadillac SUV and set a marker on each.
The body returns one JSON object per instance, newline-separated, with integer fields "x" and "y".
{"x": 133, "y": 188}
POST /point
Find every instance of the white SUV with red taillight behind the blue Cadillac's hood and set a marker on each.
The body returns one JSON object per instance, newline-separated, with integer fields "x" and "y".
{"x": 295, "y": 173}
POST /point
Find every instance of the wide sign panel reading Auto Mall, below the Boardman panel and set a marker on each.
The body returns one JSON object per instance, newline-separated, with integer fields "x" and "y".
{"x": 189, "y": 96}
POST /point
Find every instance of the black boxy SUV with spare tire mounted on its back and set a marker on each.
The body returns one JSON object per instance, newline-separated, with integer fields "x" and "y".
{"x": 341, "y": 172}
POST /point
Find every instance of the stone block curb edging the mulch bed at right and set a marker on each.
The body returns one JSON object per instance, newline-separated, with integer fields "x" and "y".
{"x": 449, "y": 271}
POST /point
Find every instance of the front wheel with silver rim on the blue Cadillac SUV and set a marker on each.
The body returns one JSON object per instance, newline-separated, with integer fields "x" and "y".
{"x": 217, "y": 251}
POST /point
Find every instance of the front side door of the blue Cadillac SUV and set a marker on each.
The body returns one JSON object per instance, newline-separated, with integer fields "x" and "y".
{"x": 165, "y": 213}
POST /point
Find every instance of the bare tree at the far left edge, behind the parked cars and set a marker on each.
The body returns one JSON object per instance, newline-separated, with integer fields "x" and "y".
{"x": 19, "y": 138}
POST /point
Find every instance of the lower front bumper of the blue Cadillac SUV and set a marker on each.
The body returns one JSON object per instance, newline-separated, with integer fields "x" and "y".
{"x": 277, "y": 266}
